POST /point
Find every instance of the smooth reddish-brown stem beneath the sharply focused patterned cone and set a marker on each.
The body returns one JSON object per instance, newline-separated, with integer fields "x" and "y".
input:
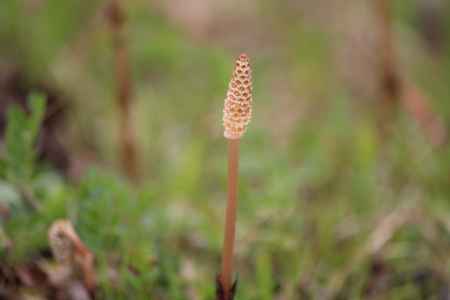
{"x": 230, "y": 218}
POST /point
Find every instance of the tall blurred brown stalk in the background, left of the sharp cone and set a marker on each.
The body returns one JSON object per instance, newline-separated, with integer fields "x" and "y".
{"x": 128, "y": 152}
